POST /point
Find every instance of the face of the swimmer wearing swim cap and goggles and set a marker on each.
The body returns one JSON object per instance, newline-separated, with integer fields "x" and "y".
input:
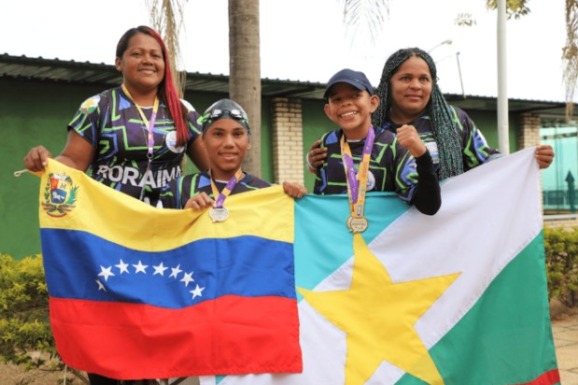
{"x": 226, "y": 141}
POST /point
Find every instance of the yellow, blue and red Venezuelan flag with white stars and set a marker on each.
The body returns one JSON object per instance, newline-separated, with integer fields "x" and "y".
{"x": 140, "y": 292}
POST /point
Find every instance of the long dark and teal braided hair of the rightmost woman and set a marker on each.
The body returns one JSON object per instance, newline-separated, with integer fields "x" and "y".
{"x": 443, "y": 128}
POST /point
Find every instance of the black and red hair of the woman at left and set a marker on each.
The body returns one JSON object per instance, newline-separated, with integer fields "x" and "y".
{"x": 167, "y": 90}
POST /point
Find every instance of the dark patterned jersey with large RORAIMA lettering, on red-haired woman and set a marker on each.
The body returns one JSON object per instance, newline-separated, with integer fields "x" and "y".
{"x": 111, "y": 123}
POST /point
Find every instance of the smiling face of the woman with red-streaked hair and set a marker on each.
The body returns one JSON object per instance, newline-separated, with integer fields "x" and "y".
{"x": 142, "y": 65}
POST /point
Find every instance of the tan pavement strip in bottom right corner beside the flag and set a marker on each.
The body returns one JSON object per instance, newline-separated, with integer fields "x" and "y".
{"x": 566, "y": 341}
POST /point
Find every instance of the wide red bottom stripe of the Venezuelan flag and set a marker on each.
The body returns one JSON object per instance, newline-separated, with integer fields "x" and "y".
{"x": 230, "y": 335}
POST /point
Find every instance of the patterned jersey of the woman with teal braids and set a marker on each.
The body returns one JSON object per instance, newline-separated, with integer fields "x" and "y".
{"x": 476, "y": 150}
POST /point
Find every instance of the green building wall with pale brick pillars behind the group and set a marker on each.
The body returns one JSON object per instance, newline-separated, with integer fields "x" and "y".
{"x": 33, "y": 113}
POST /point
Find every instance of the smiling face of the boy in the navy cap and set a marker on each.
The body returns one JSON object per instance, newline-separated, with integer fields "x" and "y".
{"x": 351, "y": 109}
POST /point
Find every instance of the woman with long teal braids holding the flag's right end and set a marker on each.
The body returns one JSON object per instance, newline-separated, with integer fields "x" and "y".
{"x": 410, "y": 95}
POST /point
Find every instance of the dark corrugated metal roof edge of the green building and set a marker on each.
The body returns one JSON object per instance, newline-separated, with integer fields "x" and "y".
{"x": 55, "y": 70}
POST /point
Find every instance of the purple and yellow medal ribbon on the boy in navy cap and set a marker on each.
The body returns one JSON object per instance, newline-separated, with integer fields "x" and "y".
{"x": 357, "y": 181}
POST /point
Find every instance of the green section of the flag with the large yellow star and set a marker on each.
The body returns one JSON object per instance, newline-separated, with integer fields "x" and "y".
{"x": 502, "y": 330}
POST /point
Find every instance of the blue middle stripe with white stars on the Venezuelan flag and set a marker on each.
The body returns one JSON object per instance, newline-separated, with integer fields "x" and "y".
{"x": 93, "y": 268}
